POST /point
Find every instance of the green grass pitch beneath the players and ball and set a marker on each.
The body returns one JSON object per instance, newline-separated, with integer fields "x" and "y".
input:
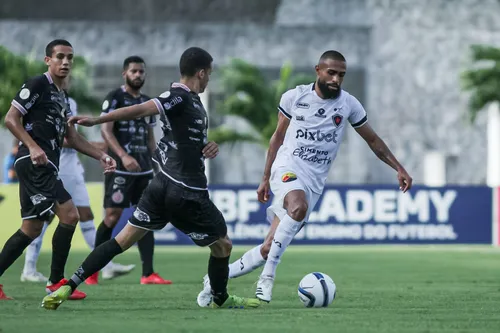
{"x": 380, "y": 289}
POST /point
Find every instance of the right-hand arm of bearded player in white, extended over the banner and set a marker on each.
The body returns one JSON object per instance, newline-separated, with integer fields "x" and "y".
{"x": 359, "y": 121}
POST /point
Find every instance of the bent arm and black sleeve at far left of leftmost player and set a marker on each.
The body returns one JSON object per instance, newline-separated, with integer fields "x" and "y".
{"x": 25, "y": 99}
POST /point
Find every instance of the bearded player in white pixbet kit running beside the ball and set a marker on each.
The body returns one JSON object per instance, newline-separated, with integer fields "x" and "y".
{"x": 311, "y": 123}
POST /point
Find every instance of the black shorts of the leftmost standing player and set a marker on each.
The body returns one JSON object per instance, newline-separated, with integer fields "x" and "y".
{"x": 39, "y": 189}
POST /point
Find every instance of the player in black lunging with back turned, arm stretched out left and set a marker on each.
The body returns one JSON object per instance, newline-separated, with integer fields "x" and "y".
{"x": 178, "y": 194}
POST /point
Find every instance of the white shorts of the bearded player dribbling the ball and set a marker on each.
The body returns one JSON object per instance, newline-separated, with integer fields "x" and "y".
{"x": 282, "y": 181}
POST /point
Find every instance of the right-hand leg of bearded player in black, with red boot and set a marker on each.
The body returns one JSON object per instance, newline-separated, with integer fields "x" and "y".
{"x": 146, "y": 244}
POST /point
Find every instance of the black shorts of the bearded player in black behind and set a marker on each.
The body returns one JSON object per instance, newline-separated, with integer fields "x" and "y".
{"x": 123, "y": 191}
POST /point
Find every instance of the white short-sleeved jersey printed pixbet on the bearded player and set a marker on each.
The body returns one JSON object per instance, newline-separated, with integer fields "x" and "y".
{"x": 316, "y": 129}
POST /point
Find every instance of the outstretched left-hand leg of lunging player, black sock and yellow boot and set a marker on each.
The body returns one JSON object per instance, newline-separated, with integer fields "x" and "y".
{"x": 95, "y": 261}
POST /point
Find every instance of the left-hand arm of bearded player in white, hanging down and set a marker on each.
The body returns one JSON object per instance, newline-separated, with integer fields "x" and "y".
{"x": 275, "y": 143}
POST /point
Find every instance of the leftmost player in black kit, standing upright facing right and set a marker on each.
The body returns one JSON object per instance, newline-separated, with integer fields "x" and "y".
{"x": 38, "y": 118}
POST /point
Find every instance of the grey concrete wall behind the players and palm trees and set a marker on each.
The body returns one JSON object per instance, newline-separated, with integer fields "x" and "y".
{"x": 404, "y": 58}
